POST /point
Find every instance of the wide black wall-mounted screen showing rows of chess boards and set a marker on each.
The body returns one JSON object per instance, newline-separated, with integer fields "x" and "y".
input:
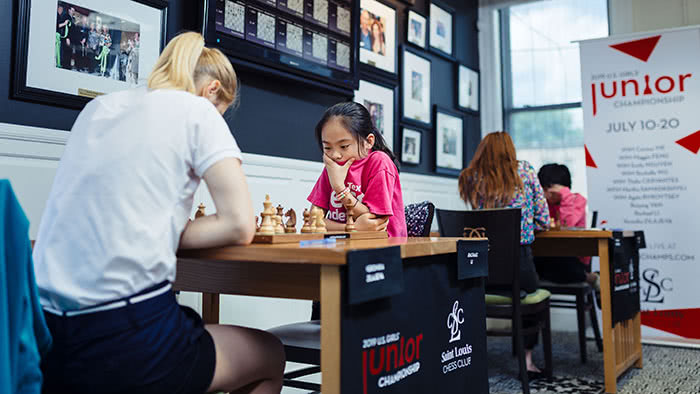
{"x": 311, "y": 41}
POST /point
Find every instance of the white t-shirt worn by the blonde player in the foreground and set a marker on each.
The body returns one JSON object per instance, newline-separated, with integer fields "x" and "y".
{"x": 123, "y": 193}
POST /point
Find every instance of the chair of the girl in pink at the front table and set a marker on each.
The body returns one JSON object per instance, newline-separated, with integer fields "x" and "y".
{"x": 302, "y": 341}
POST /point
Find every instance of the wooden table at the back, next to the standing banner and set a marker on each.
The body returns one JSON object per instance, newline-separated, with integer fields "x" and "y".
{"x": 622, "y": 344}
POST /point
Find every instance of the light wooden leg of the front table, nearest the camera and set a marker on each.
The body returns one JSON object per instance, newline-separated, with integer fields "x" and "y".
{"x": 330, "y": 329}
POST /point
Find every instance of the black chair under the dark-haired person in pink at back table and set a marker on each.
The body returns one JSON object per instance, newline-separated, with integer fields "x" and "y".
{"x": 584, "y": 302}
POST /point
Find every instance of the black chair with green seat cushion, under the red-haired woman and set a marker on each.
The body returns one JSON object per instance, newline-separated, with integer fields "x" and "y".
{"x": 502, "y": 228}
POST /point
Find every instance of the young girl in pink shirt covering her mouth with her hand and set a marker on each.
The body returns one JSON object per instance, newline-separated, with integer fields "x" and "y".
{"x": 361, "y": 176}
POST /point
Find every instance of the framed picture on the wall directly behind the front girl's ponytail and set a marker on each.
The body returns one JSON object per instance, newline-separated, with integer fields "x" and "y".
{"x": 380, "y": 101}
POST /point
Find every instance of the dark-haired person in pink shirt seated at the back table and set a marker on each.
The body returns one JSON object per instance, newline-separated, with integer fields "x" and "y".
{"x": 569, "y": 209}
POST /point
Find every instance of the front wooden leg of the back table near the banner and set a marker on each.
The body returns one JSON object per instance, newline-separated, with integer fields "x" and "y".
{"x": 609, "y": 360}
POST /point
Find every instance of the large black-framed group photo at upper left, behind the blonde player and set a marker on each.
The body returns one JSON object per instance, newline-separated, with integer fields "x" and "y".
{"x": 68, "y": 52}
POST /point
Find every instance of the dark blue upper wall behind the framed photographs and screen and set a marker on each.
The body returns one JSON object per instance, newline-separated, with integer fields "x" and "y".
{"x": 275, "y": 117}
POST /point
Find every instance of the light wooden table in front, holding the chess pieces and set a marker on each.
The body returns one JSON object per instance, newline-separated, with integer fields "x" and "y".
{"x": 290, "y": 271}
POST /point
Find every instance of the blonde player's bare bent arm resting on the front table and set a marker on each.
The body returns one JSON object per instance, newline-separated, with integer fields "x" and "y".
{"x": 233, "y": 222}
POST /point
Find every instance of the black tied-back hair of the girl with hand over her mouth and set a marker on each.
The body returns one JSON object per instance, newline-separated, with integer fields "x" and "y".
{"x": 358, "y": 122}
